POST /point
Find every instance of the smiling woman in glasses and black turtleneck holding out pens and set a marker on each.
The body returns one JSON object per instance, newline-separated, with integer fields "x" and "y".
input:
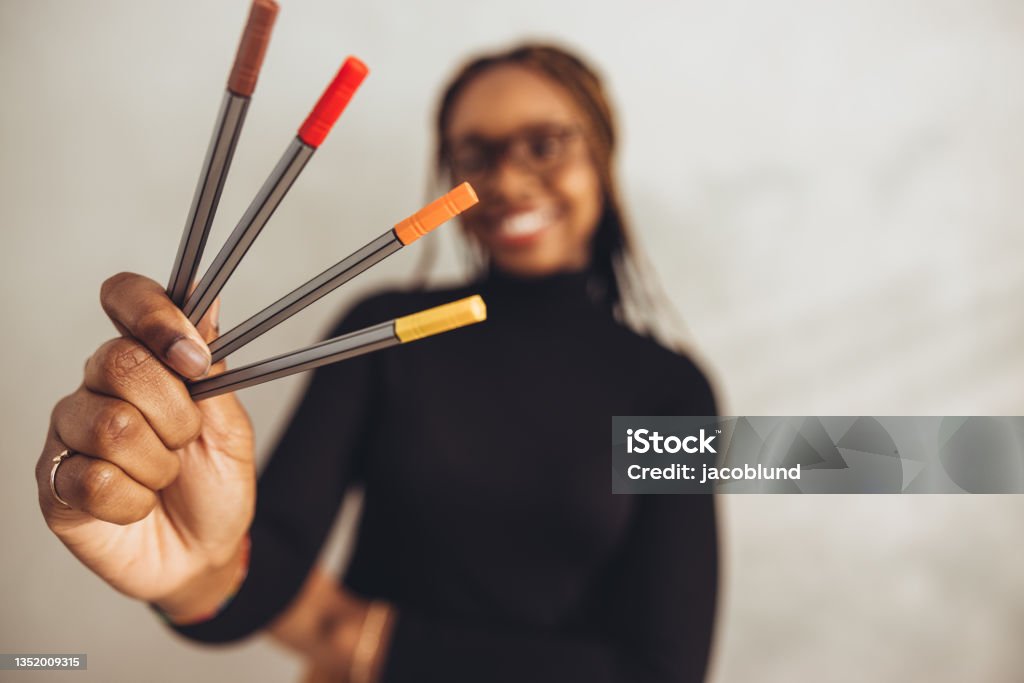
{"x": 490, "y": 547}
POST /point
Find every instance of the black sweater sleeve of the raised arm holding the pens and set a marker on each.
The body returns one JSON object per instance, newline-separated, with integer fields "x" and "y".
{"x": 301, "y": 491}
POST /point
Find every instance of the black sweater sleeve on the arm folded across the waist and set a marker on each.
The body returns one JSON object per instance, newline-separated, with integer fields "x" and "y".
{"x": 655, "y": 610}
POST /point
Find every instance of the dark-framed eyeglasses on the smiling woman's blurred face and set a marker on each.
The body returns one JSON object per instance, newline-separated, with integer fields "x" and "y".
{"x": 540, "y": 150}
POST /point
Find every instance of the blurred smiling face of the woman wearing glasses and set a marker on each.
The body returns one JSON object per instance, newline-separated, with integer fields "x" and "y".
{"x": 521, "y": 141}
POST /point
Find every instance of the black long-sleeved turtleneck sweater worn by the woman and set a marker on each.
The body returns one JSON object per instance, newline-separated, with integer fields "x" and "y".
{"x": 489, "y": 519}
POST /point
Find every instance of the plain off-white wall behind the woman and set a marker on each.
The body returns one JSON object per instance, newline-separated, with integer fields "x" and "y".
{"x": 830, "y": 193}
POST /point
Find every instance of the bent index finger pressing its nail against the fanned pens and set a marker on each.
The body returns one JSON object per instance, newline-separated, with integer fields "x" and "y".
{"x": 140, "y": 308}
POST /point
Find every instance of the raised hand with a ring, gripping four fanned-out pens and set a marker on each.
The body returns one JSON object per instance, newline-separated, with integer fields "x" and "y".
{"x": 161, "y": 489}
